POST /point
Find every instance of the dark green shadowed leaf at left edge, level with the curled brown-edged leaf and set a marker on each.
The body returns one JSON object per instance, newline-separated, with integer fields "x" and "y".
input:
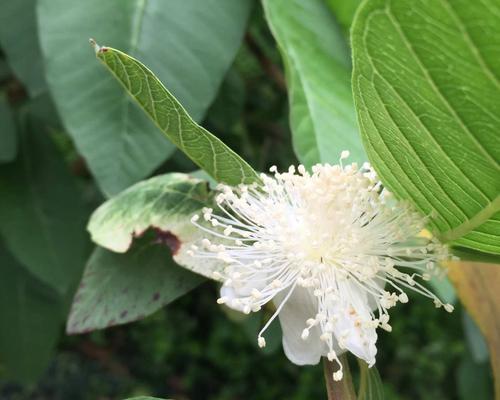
{"x": 42, "y": 217}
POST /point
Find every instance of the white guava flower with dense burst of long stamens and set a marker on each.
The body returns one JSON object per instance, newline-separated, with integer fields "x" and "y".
{"x": 331, "y": 249}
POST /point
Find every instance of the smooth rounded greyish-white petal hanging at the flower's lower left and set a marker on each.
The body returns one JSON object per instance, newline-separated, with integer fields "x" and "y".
{"x": 298, "y": 309}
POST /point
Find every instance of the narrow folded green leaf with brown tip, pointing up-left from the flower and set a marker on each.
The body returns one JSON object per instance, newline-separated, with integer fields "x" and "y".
{"x": 201, "y": 146}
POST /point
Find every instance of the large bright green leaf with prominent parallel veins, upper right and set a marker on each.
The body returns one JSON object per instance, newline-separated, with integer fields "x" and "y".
{"x": 426, "y": 81}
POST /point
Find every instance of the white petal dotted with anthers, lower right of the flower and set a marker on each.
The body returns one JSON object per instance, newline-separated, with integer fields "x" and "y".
{"x": 361, "y": 340}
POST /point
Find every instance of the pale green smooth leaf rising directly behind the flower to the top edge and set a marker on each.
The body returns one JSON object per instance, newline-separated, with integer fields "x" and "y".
{"x": 318, "y": 71}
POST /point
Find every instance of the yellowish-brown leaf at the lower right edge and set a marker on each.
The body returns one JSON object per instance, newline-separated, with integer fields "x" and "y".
{"x": 477, "y": 287}
